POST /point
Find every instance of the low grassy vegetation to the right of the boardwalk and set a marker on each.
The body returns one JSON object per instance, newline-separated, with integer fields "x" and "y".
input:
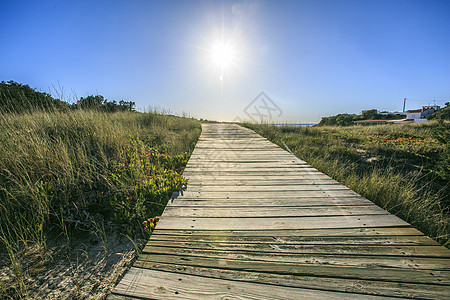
{"x": 403, "y": 168}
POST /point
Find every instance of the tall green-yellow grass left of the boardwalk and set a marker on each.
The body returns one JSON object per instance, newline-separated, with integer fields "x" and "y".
{"x": 64, "y": 172}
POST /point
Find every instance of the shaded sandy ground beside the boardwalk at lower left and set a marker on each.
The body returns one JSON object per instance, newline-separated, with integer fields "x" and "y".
{"x": 89, "y": 270}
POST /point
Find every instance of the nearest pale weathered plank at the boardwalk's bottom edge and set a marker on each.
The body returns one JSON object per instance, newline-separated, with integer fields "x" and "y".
{"x": 151, "y": 284}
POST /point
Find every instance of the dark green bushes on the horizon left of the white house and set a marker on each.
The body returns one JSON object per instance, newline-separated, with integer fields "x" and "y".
{"x": 349, "y": 119}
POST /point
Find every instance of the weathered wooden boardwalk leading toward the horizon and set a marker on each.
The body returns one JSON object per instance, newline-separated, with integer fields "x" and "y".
{"x": 255, "y": 222}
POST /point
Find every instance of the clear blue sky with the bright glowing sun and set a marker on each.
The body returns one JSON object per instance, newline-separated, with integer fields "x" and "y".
{"x": 210, "y": 59}
